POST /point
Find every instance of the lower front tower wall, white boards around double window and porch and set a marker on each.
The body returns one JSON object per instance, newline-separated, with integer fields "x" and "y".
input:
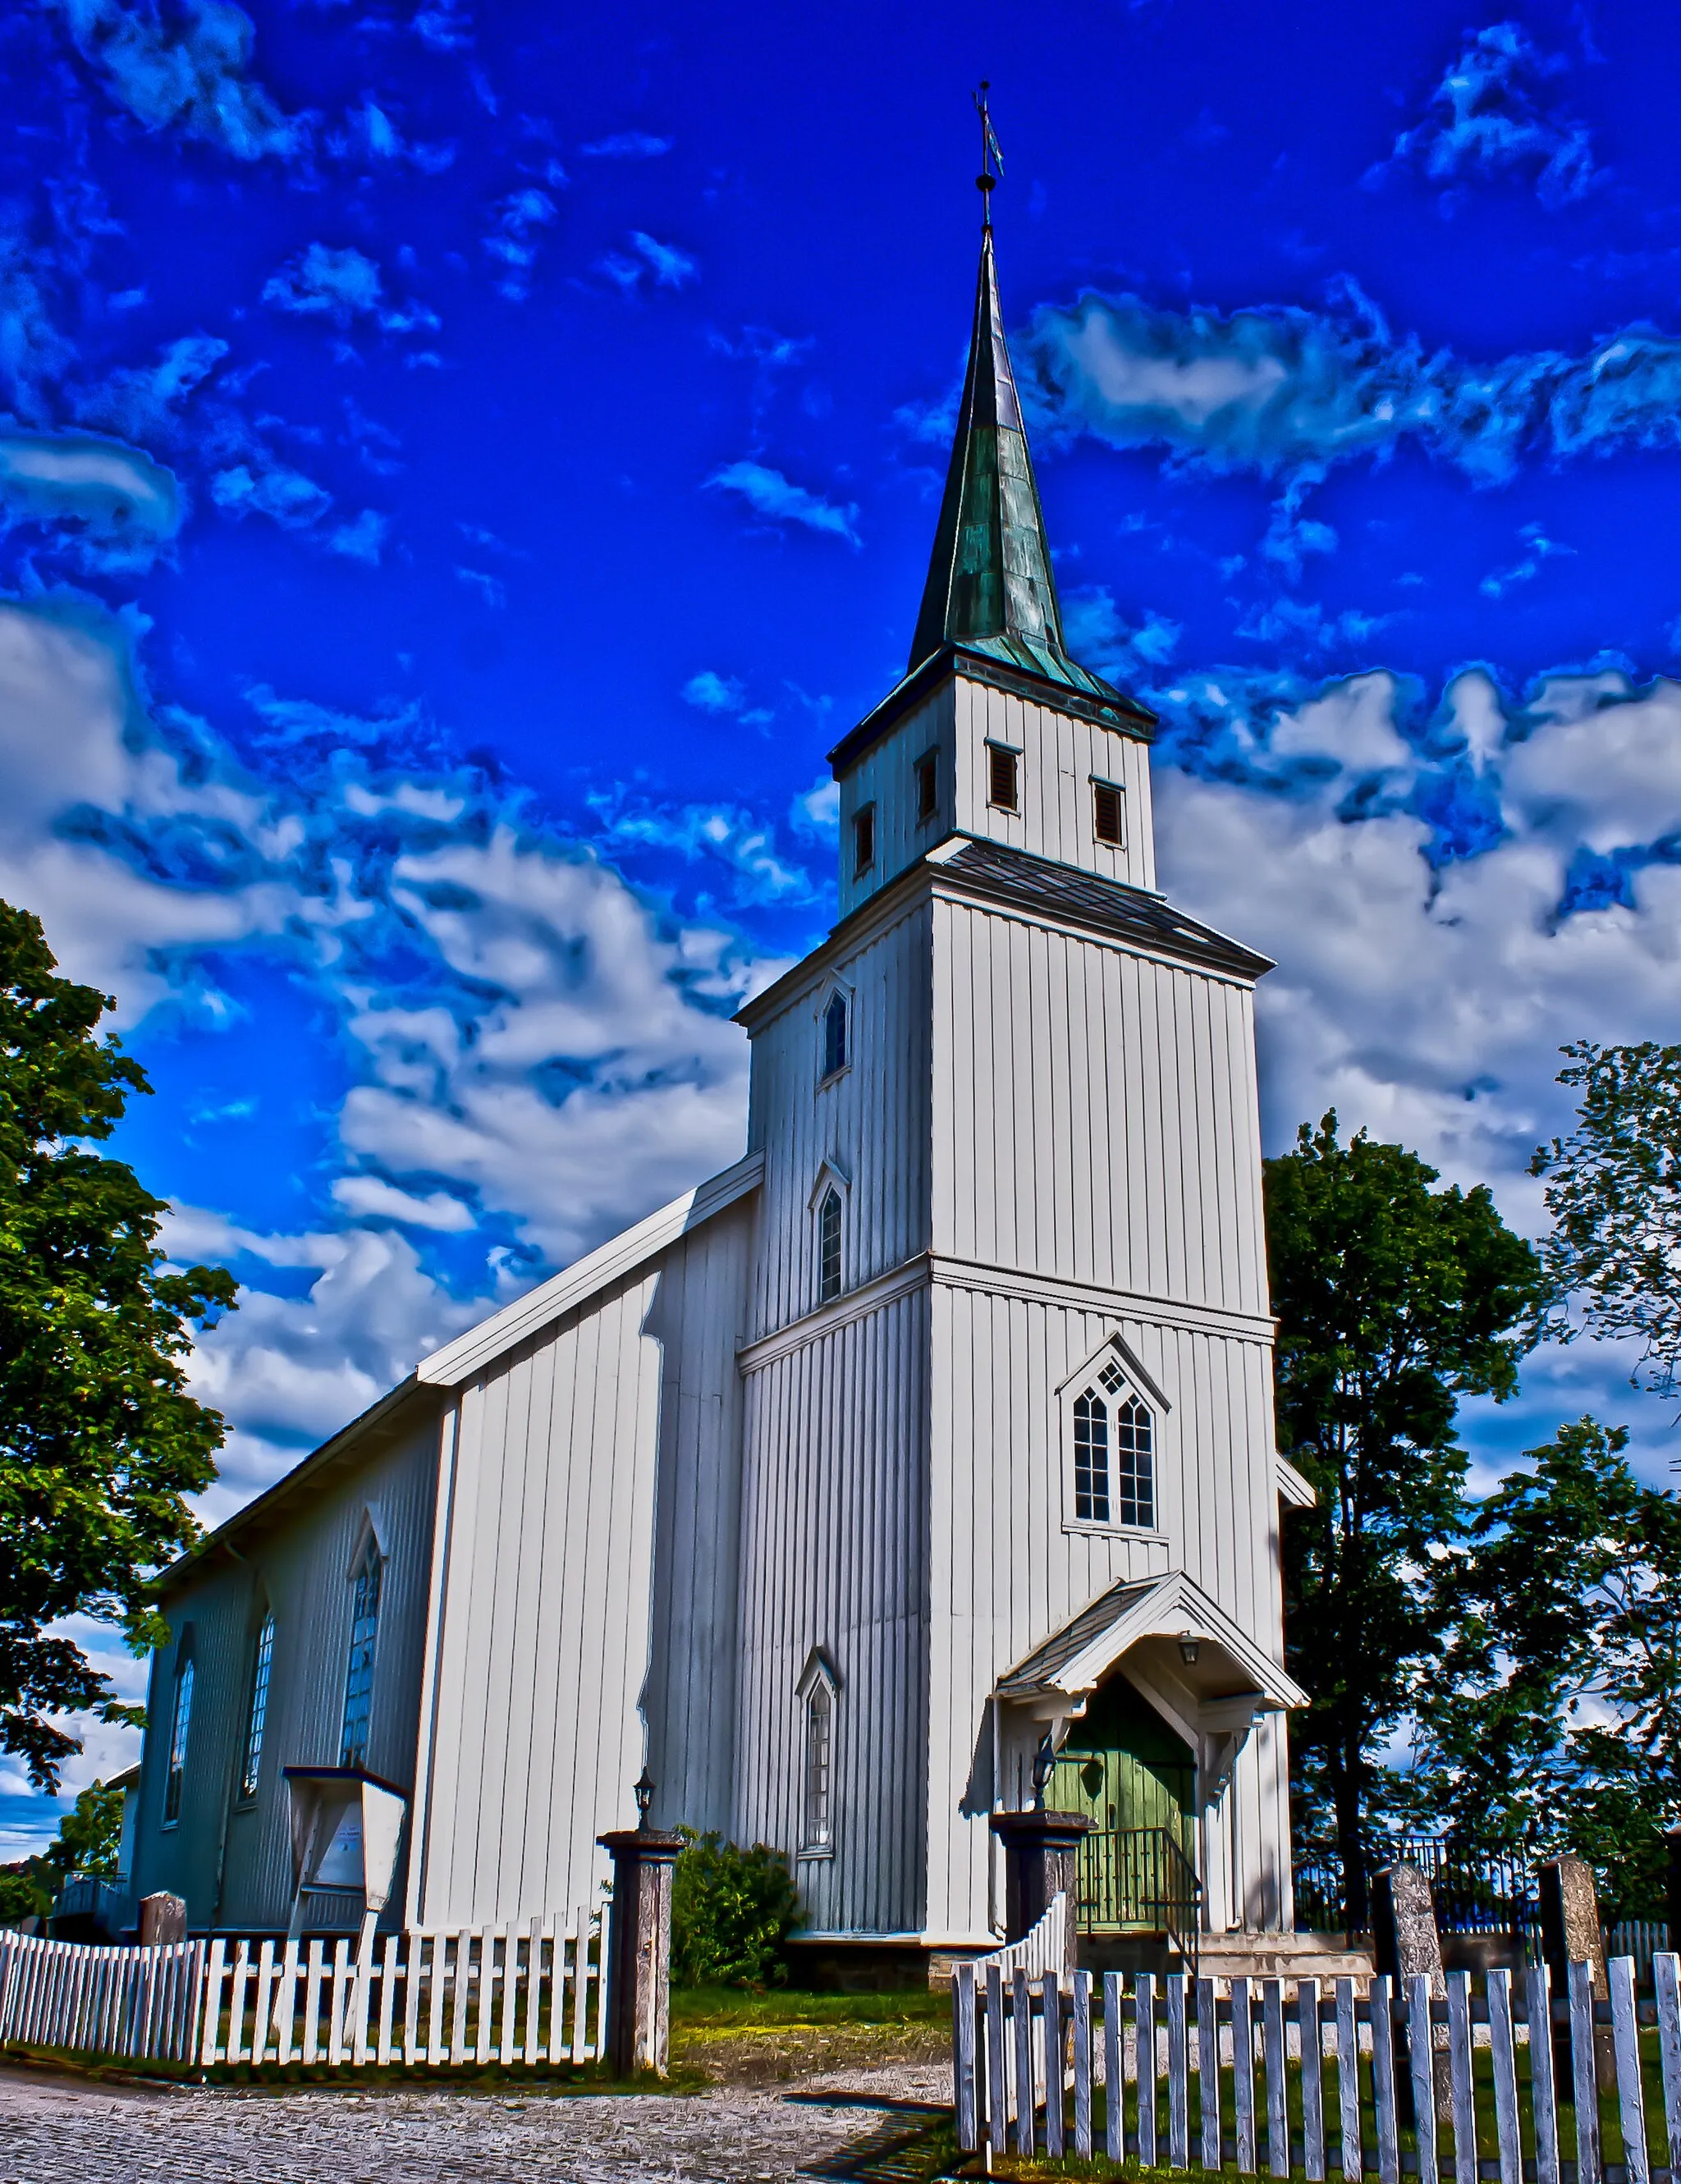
{"x": 999, "y": 1589}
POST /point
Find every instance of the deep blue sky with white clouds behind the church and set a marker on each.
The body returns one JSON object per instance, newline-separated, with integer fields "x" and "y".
{"x": 464, "y": 468}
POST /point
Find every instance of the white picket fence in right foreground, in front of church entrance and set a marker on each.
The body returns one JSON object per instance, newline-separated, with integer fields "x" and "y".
{"x": 1228, "y": 2058}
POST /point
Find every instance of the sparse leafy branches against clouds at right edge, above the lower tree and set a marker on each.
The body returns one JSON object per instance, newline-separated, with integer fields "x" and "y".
{"x": 1614, "y": 1194}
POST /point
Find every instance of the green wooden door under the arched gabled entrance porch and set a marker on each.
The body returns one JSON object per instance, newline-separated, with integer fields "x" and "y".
{"x": 1136, "y": 1781}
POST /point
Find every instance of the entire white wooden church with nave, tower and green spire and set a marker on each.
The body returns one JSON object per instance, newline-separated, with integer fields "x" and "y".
{"x": 938, "y": 1425}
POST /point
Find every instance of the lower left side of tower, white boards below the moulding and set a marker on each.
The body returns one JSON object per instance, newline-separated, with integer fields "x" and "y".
{"x": 835, "y": 1556}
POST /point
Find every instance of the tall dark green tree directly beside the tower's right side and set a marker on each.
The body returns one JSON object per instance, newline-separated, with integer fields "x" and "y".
{"x": 1394, "y": 1303}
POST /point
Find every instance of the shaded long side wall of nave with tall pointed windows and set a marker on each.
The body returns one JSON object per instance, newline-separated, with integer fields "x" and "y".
{"x": 233, "y": 1860}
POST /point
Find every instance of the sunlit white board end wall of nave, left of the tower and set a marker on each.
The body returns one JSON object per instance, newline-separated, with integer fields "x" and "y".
{"x": 591, "y": 1587}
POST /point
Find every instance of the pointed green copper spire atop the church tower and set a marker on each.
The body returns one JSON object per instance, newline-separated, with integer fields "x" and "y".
{"x": 990, "y": 584}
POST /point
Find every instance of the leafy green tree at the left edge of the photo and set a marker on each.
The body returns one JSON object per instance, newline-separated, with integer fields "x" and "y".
{"x": 99, "y": 1438}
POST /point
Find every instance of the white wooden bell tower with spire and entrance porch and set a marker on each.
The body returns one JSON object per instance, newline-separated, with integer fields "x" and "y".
{"x": 1008, "y": 1355}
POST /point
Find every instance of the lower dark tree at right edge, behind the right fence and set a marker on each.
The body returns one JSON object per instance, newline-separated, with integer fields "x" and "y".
{"x": 1553, "y": 1720}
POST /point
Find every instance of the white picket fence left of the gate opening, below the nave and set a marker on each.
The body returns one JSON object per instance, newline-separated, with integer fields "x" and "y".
{"x": 425, "y": 2002}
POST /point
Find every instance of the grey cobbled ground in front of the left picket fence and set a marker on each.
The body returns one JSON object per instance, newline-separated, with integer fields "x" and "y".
{"x": 62, "y": 2130}
